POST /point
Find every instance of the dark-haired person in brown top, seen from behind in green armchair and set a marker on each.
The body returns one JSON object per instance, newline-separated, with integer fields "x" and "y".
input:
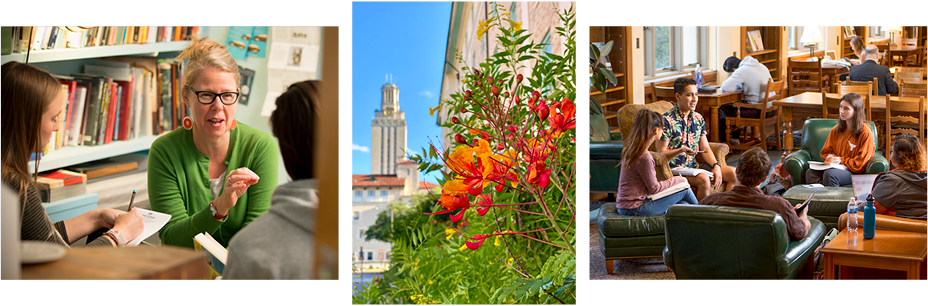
{"x": 752, "y": 170}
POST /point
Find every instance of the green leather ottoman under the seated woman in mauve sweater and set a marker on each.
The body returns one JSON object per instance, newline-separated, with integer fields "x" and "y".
{"x": 623, "y": 236}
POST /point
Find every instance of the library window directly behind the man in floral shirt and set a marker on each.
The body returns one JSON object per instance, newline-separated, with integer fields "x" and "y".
{"x": 674, "y": 49}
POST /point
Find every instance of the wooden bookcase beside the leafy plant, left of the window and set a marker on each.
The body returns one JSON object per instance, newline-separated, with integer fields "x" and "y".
{"x": 620, "y": 94}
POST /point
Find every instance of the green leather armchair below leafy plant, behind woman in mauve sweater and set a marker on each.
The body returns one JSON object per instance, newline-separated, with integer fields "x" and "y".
{"x": 605, "y": 153}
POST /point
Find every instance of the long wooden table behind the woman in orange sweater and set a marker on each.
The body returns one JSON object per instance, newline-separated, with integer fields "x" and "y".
{"x": 809, "y": 104}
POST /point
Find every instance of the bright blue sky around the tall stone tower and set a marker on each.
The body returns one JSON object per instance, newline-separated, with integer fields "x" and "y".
{"x": 407, "y": 40}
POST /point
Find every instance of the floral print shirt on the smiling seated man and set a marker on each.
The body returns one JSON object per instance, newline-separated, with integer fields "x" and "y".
{"x": 680, "y": 131}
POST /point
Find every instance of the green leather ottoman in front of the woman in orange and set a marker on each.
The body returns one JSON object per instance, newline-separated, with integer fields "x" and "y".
{"x": 827, "y": 205}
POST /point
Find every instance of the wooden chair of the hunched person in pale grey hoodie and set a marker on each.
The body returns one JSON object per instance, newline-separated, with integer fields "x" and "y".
{"x": 759, "y": 124}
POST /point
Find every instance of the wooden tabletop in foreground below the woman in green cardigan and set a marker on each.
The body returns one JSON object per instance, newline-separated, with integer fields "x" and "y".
{"x": 142, "y": 262}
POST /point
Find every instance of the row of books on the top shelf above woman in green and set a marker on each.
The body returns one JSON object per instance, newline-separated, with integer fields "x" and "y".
{"x": 22, "y": 39}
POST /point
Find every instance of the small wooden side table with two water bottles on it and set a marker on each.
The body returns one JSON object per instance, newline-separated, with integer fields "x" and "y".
{"x": 888, "y": 250}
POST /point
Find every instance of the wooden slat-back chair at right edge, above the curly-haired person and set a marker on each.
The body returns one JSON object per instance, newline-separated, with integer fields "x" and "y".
{"x": 904, "y": 124}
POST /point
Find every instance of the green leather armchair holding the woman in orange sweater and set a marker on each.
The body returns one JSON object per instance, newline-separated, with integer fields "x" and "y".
{"x": 814, "y": 134}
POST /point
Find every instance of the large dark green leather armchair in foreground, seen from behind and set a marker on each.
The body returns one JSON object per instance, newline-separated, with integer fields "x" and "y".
{"x": 718, "y": 242}
